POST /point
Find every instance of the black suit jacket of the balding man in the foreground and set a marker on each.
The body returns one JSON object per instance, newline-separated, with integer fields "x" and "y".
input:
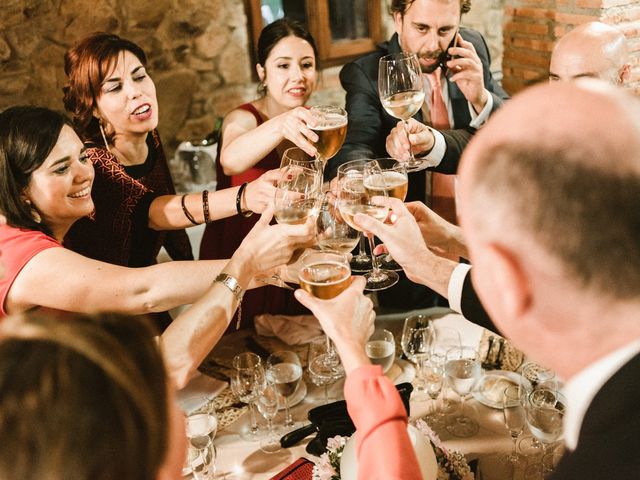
{"x": 609, "y": 442}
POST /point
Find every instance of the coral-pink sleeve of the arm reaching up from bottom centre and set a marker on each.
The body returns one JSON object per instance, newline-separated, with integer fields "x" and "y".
{"x": 374, "y": 404}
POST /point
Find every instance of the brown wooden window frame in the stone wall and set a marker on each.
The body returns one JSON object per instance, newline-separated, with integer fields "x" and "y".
{"x": 330, "y": 52}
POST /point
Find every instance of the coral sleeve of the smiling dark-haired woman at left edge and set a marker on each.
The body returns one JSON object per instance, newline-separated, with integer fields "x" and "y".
{"x": 18, "y": 247}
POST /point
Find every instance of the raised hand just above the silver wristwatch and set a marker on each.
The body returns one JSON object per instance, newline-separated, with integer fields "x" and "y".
{"x": 268, "y": 246}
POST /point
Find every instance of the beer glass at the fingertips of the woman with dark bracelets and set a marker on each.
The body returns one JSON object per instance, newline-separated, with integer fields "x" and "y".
{"x": 298, "y": 194}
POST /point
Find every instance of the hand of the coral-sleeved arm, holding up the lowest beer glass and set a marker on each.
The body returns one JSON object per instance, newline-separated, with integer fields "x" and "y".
{"x": 347, "y": 319}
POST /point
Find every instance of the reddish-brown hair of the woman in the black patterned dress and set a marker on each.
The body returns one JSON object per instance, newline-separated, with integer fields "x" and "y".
{"x": 86, "y": 65}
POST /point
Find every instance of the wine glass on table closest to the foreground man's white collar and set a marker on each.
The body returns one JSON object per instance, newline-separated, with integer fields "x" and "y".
{"x": 544, "y": 414}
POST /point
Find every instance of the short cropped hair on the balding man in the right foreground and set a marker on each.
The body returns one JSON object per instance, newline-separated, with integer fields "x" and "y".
{"x": 567, "y": 193}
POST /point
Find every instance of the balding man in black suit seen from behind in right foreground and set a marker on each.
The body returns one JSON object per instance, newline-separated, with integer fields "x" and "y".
{"x": 552, "y": 232}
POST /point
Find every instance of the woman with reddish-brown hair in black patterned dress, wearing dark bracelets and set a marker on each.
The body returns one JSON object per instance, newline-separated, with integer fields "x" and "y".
{"x": 115, "y": 110}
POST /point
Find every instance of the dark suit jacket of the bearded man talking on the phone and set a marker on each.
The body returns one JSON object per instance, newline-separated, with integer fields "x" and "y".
{"x": 370, "y": 124}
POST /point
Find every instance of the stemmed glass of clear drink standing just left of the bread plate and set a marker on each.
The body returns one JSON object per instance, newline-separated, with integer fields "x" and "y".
{"x": 462, "y": 369}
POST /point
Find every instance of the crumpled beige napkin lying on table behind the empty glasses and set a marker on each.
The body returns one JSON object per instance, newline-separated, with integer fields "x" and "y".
{"x": 291, "y": 329}
